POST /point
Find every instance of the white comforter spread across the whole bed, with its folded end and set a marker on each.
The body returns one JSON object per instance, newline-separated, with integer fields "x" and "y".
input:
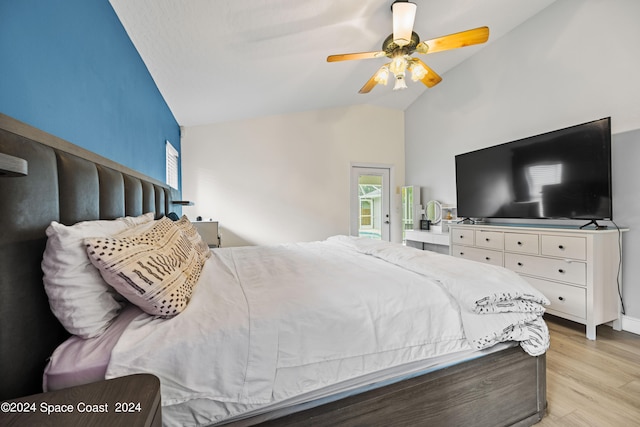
{"x": 268, "y": 323}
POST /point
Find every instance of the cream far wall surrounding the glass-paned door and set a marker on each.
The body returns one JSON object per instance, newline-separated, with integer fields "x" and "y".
{"x": 286, "y": 178}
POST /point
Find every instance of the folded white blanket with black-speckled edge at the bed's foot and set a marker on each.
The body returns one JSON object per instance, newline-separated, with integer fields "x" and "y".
{"x": 496, "y": 304}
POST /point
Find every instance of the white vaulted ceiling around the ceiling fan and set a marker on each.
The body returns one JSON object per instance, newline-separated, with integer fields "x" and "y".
{"x": 222, "y": 60}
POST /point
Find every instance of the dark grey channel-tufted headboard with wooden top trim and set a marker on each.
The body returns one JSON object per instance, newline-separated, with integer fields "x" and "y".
{"x": 67, "y": 184}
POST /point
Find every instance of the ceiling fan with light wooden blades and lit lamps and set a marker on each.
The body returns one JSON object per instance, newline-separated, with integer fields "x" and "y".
{"x": 403, "y": 42}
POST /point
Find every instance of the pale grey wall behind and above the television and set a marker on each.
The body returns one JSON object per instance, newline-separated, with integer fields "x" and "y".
{"x": 575, "y": 61}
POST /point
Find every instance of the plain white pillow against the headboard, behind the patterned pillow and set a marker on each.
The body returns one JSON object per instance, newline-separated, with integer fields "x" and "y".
{"x": 78, "y": 296}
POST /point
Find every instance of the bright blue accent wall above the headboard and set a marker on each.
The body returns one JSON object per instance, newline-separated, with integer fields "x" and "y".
{"x": 69, "y": 68}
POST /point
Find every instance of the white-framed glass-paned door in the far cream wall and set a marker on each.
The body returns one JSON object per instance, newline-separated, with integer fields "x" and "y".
{"x": 370, "y": 202}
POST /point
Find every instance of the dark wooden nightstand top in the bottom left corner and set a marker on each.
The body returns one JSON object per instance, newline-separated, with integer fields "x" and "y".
{"x": 133, "y": 400}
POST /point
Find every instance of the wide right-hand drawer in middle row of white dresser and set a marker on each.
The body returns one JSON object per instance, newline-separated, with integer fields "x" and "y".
{"x": 549, "y": 268}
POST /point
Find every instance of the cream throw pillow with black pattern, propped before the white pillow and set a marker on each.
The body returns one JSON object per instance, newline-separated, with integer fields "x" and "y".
{"x": 155, "y": 270}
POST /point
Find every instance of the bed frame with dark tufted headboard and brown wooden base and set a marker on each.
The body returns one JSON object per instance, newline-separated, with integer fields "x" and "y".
{"x": 69, "y": 184}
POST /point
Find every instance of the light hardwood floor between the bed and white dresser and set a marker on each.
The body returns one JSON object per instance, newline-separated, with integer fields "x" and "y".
{"x": 592, "y": 383}
